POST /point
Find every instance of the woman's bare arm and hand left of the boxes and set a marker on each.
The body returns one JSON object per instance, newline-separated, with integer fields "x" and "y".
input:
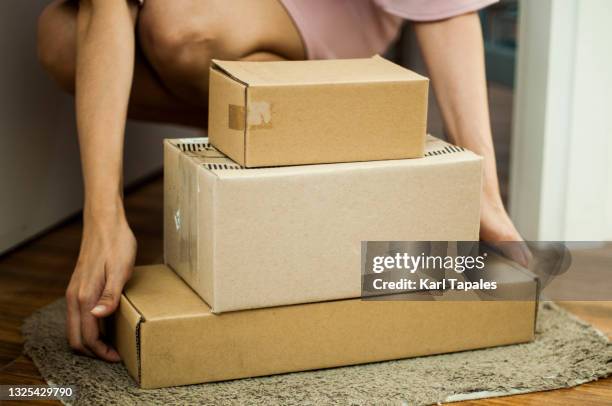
{"x": 105, "y": 63}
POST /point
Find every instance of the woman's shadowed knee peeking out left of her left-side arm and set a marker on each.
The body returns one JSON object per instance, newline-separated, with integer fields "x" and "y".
{"x": 56, "y": 38}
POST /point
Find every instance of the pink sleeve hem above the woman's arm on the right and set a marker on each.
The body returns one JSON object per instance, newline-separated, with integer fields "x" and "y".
{"x": 431, "y": 10}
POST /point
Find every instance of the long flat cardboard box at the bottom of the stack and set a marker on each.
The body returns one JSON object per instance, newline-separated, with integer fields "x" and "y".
{"x": 167, "y": 336}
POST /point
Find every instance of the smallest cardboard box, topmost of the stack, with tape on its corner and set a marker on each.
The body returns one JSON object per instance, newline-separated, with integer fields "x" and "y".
{"x": 305, "y": 112}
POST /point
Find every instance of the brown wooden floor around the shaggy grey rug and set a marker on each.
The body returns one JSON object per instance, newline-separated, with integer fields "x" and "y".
{"x": 37, "y": 273}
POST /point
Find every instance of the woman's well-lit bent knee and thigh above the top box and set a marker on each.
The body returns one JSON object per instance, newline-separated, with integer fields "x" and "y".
{"x": 180, "y": 37}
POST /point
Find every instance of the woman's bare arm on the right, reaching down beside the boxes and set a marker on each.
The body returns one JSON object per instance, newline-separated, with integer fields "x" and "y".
{"x": 454, "y": 54}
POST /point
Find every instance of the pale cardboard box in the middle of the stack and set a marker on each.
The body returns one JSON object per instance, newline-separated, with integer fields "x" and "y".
{"x": 251, "y": 238}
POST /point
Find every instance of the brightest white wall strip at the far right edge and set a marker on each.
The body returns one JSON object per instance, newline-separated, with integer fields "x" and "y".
{"x": 589, "y": 197}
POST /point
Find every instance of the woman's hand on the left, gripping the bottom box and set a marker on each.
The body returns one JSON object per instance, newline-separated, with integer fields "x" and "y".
{"x": 106, "y": 259}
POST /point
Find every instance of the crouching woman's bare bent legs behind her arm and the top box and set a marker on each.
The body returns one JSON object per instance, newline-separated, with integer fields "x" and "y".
{"x": 176, "y": 41}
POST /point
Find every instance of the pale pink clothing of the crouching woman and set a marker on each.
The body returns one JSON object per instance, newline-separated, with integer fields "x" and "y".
{"x": 361, "y": 28}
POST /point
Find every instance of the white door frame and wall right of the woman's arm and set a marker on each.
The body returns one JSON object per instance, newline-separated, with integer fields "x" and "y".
{"x": 561, "y": 169}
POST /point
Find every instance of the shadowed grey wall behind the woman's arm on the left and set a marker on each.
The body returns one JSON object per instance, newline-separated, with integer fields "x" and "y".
{"x": 40, "y": 179}
